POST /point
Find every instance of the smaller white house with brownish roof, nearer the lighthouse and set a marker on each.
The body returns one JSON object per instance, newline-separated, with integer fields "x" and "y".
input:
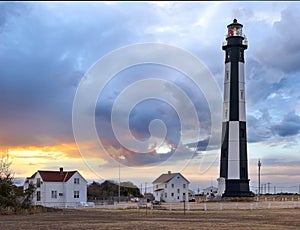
{"x": 171, "y": 187}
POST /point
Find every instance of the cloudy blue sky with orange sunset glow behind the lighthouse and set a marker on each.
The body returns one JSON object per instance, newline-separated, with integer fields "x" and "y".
{"x": 49, "y": 50}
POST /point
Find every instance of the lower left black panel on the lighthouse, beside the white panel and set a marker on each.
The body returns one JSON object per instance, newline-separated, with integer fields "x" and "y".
{"x": 224, "y": 150}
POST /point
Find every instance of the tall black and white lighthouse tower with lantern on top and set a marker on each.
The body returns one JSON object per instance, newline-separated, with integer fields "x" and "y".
{"x": 234, "y": 163}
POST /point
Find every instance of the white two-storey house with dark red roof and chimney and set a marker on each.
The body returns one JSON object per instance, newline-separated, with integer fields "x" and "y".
{"x": 58, "y": 188}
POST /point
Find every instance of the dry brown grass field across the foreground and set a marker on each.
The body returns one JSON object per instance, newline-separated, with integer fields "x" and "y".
{"x": 288, "y": 218}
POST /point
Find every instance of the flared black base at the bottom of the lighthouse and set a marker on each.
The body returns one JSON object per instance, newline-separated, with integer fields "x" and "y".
{"x": 237, "y": 188}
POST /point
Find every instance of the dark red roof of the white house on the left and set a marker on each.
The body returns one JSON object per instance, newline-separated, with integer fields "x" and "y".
{"x": 55, "y": 176}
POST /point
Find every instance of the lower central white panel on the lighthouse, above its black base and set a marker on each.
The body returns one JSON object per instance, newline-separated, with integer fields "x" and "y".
{"x": 234, "y": 151}
